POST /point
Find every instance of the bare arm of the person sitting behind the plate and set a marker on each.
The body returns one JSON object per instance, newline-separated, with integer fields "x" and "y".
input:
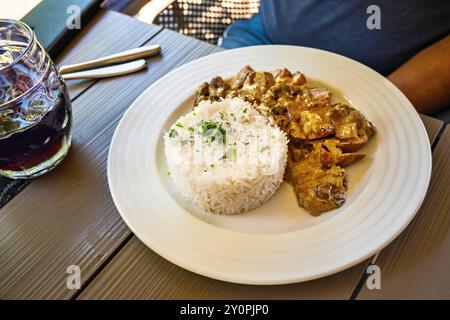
{"x": 425, "y": 78}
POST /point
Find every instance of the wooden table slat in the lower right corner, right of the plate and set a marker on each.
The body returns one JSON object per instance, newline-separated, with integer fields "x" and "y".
{"x": 417, "y": 264}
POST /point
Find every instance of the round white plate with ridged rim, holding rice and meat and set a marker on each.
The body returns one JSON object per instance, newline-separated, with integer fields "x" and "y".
{"x": 279, "y": 242}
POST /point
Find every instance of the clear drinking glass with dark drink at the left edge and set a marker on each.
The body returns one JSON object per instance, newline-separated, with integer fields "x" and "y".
{"x": 35, "y": 109}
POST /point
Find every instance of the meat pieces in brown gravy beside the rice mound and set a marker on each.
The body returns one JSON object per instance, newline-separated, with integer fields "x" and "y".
{"x": 324, "y": 135}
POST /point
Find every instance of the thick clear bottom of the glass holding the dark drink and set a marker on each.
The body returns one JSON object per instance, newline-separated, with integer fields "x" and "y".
{"x": 43, "y": 167}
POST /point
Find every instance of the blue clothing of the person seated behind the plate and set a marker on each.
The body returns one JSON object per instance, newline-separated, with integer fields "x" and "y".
{"x": 406, "y": 27}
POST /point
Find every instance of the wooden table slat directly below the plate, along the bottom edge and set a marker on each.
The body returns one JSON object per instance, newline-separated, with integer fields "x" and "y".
{"x": 139, "y": 273}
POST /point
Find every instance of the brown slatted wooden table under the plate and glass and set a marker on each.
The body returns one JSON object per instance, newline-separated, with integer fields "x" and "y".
{"x": 68, "y": 218}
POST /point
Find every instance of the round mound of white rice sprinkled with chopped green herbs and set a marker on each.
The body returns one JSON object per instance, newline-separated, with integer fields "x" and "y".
{"x": 226, "y": 157}
